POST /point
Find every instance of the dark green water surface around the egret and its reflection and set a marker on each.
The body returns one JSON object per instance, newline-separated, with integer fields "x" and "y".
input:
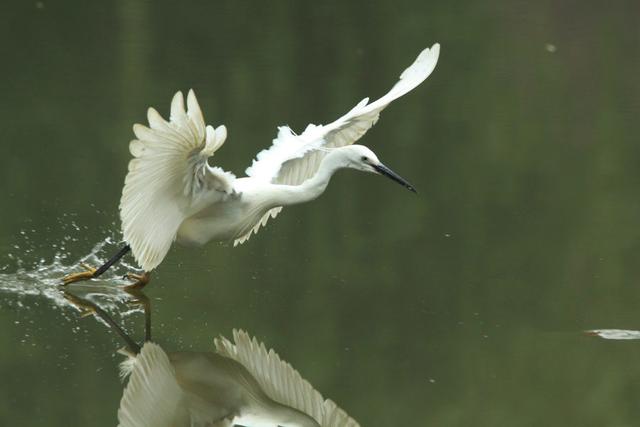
{"x": 464, "y": 305}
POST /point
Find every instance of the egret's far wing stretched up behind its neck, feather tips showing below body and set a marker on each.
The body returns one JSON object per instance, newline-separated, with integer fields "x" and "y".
{"x": 292, "y": 159}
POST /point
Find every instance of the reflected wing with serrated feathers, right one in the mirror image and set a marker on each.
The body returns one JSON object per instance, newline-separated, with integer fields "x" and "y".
{"x": 281, "y": 381}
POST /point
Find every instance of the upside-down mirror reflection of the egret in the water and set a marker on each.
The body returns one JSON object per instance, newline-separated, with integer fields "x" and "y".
{"x": 239, "y": 383}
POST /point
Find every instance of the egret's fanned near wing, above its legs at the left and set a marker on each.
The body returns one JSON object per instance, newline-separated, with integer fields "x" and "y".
{"x": 168, "y": 176}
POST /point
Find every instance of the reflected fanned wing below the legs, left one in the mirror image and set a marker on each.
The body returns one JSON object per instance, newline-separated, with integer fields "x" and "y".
{"x": 152, "y": 397}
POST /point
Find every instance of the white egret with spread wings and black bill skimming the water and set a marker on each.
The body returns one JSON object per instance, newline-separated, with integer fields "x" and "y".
{"x": 171, "y": 193}
